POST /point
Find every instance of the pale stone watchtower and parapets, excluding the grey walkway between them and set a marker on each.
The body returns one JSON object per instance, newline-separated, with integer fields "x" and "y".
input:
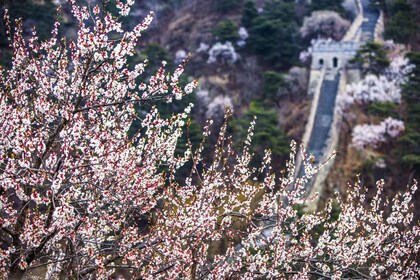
{"x": 328, "y": 57}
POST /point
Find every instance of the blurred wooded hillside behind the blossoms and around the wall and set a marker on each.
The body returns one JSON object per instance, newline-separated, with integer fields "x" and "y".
{"x": 245, "y": 54}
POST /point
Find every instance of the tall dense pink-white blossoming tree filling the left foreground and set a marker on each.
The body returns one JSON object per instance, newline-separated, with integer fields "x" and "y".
{"x": 71, "y": 179}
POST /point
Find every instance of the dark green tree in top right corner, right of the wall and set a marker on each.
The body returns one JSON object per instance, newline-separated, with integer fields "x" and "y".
{"x": 401, "y": 24}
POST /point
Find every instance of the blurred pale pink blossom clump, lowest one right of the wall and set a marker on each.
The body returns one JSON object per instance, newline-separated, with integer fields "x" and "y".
{"x": 368, "y": 135}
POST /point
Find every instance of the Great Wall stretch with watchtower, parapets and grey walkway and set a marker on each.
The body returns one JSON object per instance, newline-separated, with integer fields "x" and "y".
{"x": 329, "y": 75}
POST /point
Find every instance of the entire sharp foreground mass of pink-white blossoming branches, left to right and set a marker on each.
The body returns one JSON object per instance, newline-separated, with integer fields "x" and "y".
{"x": 75, "y": 188}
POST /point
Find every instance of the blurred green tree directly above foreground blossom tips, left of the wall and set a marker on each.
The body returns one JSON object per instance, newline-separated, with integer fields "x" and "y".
{"x": 267, "y": 133}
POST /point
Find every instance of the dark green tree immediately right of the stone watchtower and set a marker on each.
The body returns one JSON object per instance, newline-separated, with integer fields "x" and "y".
{"x": 373, "y": 58}
